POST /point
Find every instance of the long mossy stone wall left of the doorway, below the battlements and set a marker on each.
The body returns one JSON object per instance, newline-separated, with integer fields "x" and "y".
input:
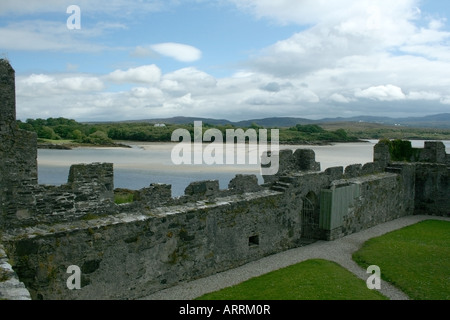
{"x": 133, "y": 255}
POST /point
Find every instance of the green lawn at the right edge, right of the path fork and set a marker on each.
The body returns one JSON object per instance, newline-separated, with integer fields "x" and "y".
{"x": 415, "y": 259}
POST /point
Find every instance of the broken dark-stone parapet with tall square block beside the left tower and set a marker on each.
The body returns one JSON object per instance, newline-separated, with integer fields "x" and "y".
{"x": 87, "y": 194}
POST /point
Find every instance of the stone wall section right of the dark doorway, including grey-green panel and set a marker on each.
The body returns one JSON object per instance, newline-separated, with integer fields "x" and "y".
{"x": 360, "y": 203}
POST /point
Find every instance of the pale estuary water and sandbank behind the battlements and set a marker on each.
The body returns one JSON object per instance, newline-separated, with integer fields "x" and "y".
{"x": 146, "y": 163}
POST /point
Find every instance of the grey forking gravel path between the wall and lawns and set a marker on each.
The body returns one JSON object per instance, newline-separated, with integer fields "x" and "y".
{"x": 339, "y": 251}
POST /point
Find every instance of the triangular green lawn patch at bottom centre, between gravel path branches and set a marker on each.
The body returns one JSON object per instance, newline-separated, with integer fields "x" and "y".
{"x": 309, "y": 280}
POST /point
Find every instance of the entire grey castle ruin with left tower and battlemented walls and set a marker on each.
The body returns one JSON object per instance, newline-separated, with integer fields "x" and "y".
{"x": 132, "y": 250}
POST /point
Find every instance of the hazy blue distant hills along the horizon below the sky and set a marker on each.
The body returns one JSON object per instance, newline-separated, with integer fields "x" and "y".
{"x": 441, "y": 121}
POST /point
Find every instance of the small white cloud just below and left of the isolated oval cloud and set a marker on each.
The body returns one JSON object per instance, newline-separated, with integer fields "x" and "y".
{"x": 143, "y": 74}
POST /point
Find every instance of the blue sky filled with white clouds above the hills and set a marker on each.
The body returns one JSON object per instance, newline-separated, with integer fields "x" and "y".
{"x": 227, "y": 59}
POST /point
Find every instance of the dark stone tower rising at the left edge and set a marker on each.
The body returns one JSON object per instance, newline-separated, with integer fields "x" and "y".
{"x": 18, "y": 155}
